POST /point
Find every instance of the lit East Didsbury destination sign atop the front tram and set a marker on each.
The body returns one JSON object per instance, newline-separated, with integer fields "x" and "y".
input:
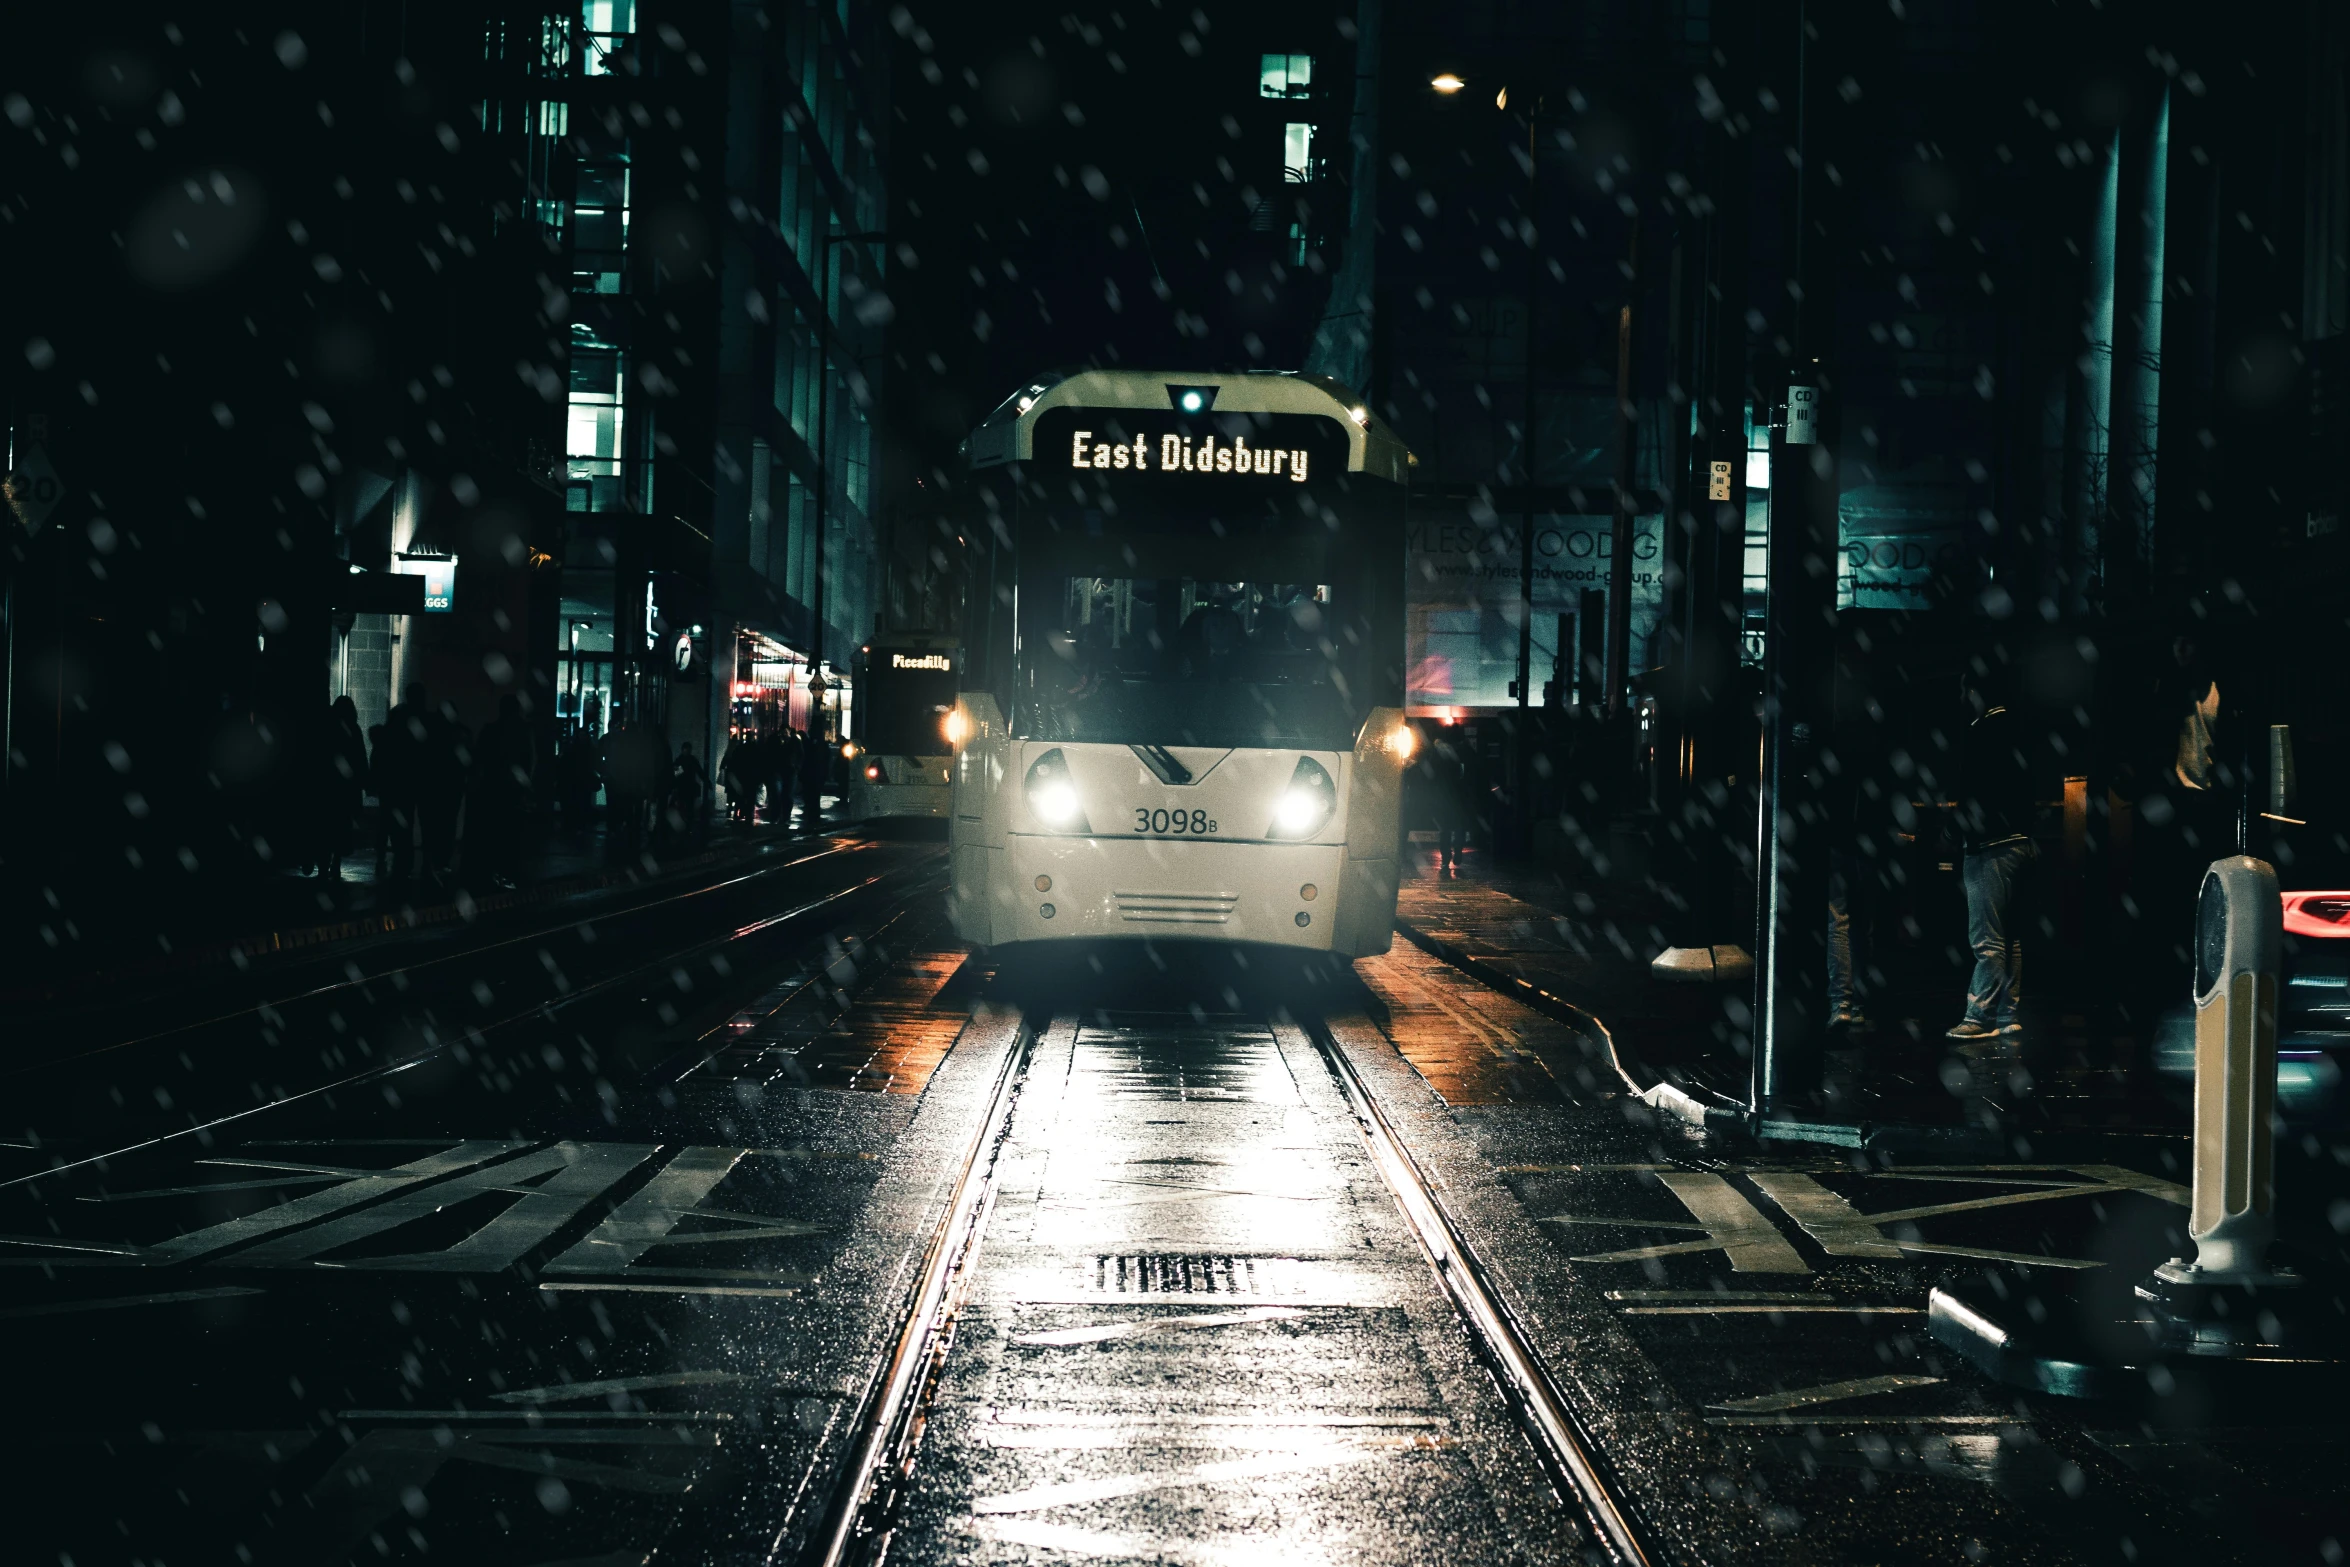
{"x": 1223, "y": 448}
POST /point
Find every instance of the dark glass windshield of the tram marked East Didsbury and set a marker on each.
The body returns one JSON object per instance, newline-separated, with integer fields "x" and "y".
{"x": 1183, "y": 661}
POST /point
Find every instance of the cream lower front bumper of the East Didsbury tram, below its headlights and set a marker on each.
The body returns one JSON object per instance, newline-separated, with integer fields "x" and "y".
{"x": 1171, "y": 889}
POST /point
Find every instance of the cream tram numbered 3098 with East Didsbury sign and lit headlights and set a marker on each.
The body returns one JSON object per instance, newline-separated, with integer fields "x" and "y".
{"x": 1181, "y": 713}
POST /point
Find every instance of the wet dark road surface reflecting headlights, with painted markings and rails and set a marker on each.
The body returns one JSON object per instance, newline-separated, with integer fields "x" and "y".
{"x": 605, "y": 1249}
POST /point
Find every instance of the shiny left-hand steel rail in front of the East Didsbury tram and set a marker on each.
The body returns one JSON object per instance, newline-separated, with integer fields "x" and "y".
{"x": 892, "y": 1415}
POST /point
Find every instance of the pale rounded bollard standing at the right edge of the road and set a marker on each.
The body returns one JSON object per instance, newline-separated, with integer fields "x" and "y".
{"x": 2238, "y": 960}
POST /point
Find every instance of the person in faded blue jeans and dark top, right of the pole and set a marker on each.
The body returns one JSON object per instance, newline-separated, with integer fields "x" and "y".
{"x": 1994, "y": 819}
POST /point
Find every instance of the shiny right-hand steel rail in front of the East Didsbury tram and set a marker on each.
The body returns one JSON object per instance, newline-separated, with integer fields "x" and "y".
{"x": 1515, "y": 1364}
